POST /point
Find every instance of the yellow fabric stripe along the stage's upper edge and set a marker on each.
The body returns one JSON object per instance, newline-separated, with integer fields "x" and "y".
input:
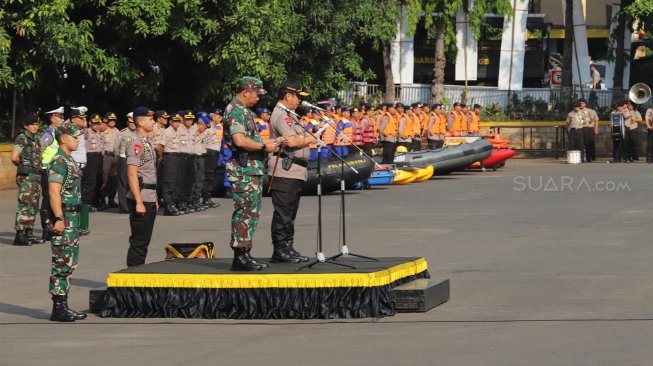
{"x": 298, "y": 280}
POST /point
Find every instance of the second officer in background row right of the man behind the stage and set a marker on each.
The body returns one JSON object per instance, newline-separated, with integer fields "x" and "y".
{"x": 169, "y": 157}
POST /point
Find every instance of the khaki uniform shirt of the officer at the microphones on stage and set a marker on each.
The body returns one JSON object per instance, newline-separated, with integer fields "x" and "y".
{"x": 281, "y": 123}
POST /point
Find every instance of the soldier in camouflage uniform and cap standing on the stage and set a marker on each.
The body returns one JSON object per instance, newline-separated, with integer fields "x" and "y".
{"x": 245, "y": 170}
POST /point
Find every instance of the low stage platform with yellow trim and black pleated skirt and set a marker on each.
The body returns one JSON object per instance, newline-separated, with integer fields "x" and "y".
{"x": 206, "y": 288}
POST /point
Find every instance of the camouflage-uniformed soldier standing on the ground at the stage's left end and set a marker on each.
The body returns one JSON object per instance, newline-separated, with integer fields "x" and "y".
{"x": 65, "y": 187}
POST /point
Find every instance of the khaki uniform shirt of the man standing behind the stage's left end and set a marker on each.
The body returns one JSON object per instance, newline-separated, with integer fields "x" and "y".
{"x": 140, "y": 153}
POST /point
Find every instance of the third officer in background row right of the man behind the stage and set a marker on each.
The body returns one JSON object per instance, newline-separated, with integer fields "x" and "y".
{"x": 186, "y": 173}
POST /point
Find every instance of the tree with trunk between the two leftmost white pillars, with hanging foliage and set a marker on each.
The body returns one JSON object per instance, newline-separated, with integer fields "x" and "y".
{"x": 440, "y": 20}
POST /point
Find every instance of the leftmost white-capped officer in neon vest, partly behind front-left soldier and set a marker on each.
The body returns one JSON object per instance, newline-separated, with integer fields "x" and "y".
{"x": 49, "y": 147}
